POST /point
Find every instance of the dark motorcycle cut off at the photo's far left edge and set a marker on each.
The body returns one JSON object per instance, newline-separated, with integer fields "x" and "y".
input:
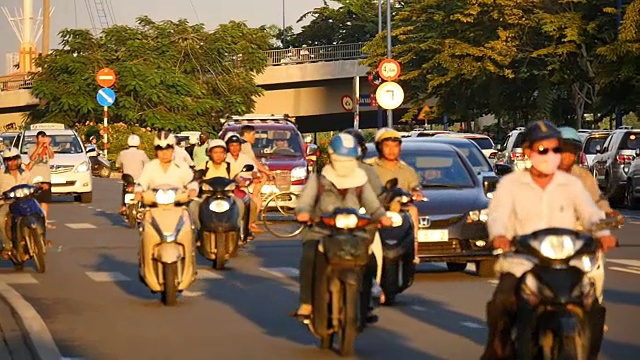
{"x": 27, "y": 226}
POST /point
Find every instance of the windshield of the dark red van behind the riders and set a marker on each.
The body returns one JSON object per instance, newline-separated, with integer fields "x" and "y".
{"x": 277, "y": 143}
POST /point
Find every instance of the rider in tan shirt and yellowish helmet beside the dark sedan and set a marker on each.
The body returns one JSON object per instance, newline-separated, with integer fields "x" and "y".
{"x": 388, "y": 165}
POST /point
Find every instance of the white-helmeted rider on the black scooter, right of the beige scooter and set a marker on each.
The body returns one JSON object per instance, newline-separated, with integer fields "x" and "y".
{"x": 216, "y": 167}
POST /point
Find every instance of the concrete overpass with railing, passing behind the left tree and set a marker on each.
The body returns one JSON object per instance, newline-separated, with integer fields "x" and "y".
{"x": 308, "y": 83}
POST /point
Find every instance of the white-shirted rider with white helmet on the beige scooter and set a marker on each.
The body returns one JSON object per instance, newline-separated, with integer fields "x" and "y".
{"x": 163, "y": 170}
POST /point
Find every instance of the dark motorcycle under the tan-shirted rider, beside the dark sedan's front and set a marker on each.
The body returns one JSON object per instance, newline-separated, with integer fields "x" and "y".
{"x": 398, "y": 269}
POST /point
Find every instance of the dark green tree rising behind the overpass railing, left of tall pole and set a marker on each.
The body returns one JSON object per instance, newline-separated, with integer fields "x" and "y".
{"x": 352, "y": 21}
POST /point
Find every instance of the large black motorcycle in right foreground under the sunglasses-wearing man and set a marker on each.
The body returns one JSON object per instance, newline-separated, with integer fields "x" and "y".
{"x": 554, "y": 297}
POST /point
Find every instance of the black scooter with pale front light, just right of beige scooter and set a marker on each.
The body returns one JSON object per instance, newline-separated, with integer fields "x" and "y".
{"x": 219, "y": 232}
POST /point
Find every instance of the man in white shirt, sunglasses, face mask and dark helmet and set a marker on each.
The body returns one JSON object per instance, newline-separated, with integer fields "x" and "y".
{"x": 525, "y": 202}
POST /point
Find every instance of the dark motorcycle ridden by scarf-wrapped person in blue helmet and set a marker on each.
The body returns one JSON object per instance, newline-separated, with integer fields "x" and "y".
{"x": 340, "y": 263}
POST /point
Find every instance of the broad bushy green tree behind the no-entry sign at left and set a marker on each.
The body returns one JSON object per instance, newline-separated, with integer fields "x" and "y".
{"x": 171, "y": 75}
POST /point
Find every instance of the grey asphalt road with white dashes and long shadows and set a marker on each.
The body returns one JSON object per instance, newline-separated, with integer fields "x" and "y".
{"x": 95, "y": 307}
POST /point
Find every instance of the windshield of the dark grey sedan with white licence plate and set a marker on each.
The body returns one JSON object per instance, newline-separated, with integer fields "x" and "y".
{"x": 439, "y": 169}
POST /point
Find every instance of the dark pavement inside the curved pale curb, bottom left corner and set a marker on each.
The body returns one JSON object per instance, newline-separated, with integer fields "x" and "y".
{"x": 13, "y": 340}
